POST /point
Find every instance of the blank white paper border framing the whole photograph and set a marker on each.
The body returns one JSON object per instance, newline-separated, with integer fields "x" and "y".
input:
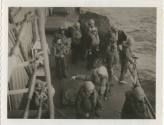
{"x": 80, "y": 3}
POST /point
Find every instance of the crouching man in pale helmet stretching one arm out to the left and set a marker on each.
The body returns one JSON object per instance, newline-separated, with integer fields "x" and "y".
{"x": 99, "y": 77}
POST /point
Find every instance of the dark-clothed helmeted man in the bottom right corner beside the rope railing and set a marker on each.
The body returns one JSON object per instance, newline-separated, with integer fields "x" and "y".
{"x": 135, "y": 106}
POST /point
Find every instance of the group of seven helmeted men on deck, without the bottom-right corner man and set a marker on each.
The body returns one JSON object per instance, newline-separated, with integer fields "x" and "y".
{"x": 97, "y": 84}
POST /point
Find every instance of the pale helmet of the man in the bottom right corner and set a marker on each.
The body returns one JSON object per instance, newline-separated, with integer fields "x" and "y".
{"x": 139, "y": 93}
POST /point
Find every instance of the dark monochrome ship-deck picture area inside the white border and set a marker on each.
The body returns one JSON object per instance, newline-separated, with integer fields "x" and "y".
{"x": 81, "y": 63}
